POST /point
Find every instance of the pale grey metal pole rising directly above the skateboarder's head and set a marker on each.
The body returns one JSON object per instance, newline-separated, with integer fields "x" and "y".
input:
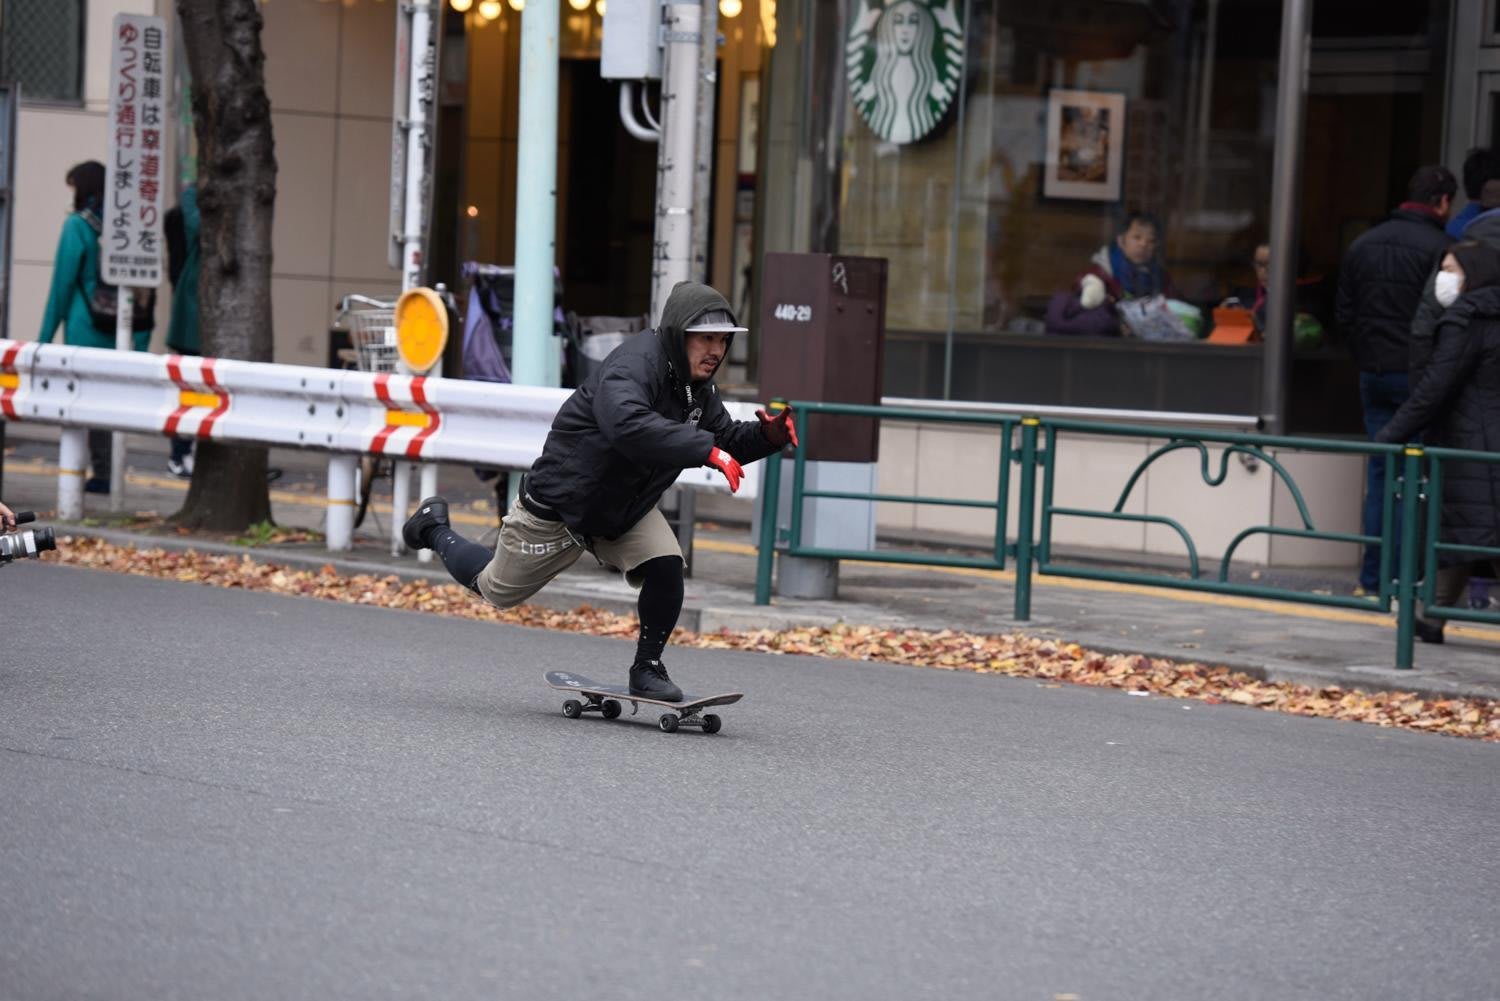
{"x": 676, "y": 161}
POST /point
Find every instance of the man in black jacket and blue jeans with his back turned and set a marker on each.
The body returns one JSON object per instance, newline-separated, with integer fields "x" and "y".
{"x": 1379, "y": 290}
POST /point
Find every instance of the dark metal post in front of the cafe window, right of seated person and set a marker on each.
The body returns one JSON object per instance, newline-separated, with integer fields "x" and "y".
{"x": 1286, "y": 182}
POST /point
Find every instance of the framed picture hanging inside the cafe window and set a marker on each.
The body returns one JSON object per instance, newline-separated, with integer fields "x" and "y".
{"x": 1085, "y": 145}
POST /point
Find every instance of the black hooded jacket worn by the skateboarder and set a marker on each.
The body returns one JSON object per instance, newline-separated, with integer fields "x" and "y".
{"x": 626, "y": 434}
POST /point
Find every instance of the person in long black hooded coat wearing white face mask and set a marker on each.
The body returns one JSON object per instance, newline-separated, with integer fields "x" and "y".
{"x": 1456, "y": 404}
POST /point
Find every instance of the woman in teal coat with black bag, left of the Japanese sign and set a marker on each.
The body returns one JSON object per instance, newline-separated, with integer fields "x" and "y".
{"x": 76, "y": 274}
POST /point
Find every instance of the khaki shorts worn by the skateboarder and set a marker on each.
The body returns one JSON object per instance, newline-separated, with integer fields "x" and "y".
{"x": 532, "y": 552}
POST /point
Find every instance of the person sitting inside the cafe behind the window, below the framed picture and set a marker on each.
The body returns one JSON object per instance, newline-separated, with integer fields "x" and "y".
{"x": 1126, "y": 268}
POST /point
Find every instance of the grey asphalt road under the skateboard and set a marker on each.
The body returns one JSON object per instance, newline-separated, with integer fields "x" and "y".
{"x": 215, "y": 795}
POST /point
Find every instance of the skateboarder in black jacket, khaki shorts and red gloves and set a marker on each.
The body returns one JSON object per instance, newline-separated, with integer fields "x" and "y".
{"x": 617, "y": 443}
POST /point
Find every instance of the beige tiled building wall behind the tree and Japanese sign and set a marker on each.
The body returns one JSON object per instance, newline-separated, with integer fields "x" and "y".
{"x": 329, "y": 70}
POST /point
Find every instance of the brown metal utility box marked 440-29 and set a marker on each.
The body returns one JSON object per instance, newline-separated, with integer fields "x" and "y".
{"x": 823, "y": 338}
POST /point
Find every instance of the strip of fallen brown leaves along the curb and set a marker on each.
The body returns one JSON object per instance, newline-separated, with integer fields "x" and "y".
{"x": 1006, "y": 654}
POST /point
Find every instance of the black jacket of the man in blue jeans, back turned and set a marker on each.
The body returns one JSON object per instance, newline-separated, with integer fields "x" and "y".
{"x": 1381, "y": 286}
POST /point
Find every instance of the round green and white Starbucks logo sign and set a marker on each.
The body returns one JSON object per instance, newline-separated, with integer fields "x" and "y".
{"x": 905, "y": 62}
